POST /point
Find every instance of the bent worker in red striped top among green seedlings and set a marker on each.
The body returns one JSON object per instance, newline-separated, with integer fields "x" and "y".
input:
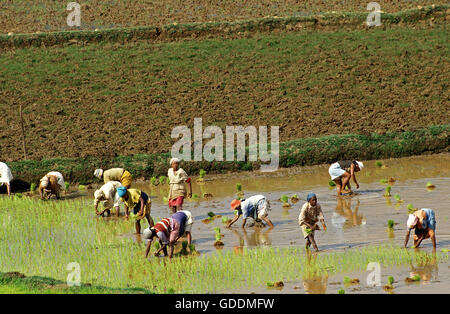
{"x": 168, "y": 231}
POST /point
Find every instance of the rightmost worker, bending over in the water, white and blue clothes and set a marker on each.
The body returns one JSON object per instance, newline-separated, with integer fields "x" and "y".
{"x": 423, "y": 222}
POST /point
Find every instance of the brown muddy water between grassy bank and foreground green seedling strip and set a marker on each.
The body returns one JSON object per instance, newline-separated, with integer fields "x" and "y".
{"x": 352, "y": 221}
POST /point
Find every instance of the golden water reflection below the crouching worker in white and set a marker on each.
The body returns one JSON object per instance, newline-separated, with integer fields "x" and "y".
{"x": 344, "y": 217}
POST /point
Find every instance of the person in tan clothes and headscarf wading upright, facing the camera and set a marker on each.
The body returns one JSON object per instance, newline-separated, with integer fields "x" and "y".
{"x": 310, "y": 214}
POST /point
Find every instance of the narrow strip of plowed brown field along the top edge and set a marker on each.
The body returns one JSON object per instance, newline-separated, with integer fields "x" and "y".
{"x": 23, "y": 16}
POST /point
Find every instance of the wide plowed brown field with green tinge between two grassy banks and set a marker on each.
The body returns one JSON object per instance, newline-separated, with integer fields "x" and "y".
{"x": 110, "y": 99}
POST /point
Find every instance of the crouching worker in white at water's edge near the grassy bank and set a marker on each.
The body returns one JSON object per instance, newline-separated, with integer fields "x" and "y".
{"x": 342, "y": 171}
